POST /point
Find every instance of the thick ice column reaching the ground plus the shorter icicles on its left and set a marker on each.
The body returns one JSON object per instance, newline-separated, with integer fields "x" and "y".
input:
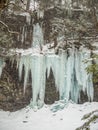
{"x": 35, "y": 64}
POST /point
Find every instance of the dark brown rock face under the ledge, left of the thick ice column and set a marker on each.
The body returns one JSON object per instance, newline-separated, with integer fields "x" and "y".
{"x": 11, "y": 90}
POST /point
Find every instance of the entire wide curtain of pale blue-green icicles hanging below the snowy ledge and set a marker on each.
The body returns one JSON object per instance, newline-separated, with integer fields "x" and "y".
{"x": 68, "y": 69}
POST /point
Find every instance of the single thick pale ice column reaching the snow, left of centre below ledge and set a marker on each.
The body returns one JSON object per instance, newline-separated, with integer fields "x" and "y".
{"x": 38, "y": 79}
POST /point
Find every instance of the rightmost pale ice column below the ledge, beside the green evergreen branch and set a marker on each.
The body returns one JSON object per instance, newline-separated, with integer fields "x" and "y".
{"x": 86, "y": 77}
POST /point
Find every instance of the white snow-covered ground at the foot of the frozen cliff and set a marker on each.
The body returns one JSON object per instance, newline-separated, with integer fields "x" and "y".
{"x": 44, "y": 119}
